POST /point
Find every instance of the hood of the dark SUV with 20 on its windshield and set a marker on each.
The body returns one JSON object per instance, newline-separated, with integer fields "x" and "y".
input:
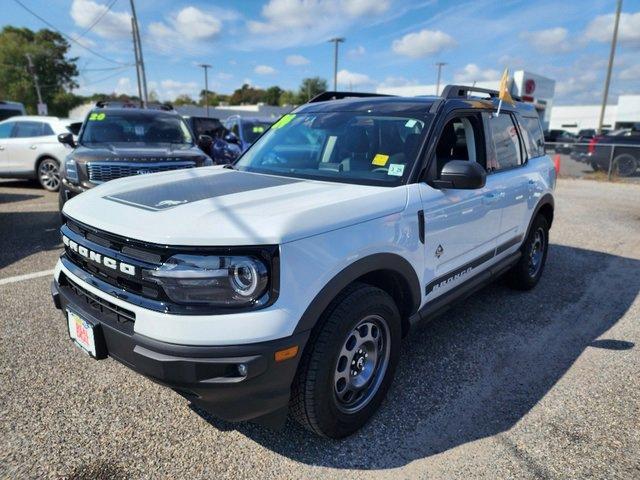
{"x": 118, "y": 153}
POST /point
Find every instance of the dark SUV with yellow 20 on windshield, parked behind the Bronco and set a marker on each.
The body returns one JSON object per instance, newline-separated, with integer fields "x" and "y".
{"x": 122, "y": 140}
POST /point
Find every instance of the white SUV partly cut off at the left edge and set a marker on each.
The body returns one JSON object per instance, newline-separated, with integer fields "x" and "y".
{"x": 29, "y": 148}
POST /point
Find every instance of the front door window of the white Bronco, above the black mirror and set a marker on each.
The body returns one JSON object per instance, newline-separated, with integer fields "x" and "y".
{"x": 460, "y": 139}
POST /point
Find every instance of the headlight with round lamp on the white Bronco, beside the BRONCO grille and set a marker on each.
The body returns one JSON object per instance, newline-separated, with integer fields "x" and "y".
{"x": 225, "y": 281}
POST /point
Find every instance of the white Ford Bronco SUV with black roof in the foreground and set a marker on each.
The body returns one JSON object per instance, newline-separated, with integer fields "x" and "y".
{"x": 285, "y": 283}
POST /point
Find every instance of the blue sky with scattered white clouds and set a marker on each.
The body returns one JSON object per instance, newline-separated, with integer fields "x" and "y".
{"x": 388, "y": 42}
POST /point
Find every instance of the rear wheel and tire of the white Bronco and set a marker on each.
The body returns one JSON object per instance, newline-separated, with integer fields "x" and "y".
{"x": 525, "y": 274}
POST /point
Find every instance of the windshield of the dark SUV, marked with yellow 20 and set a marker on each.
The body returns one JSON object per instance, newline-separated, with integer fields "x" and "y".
{"x": 137, "y": 128}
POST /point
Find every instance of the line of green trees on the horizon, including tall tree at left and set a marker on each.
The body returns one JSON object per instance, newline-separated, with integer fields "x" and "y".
{"x": 57, "y": 74}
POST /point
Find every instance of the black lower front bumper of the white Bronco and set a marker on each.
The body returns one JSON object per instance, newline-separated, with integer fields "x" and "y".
{"x": 208, "y": 376}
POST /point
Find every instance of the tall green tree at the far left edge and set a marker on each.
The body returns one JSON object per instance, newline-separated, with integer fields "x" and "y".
{"x": 56, "y": 72}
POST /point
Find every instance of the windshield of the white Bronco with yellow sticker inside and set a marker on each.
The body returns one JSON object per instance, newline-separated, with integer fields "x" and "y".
{"x": 338, "y": 146}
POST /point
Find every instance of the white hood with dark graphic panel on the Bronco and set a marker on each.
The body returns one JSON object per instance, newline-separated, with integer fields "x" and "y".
{"x": 214, "y": 206}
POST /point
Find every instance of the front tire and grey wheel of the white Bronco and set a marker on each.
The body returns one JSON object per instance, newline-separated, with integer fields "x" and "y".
{"x": 355, "y": 348}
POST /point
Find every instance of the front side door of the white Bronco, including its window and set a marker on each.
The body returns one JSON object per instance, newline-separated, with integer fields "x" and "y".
{"x": 461, "y": 226}
